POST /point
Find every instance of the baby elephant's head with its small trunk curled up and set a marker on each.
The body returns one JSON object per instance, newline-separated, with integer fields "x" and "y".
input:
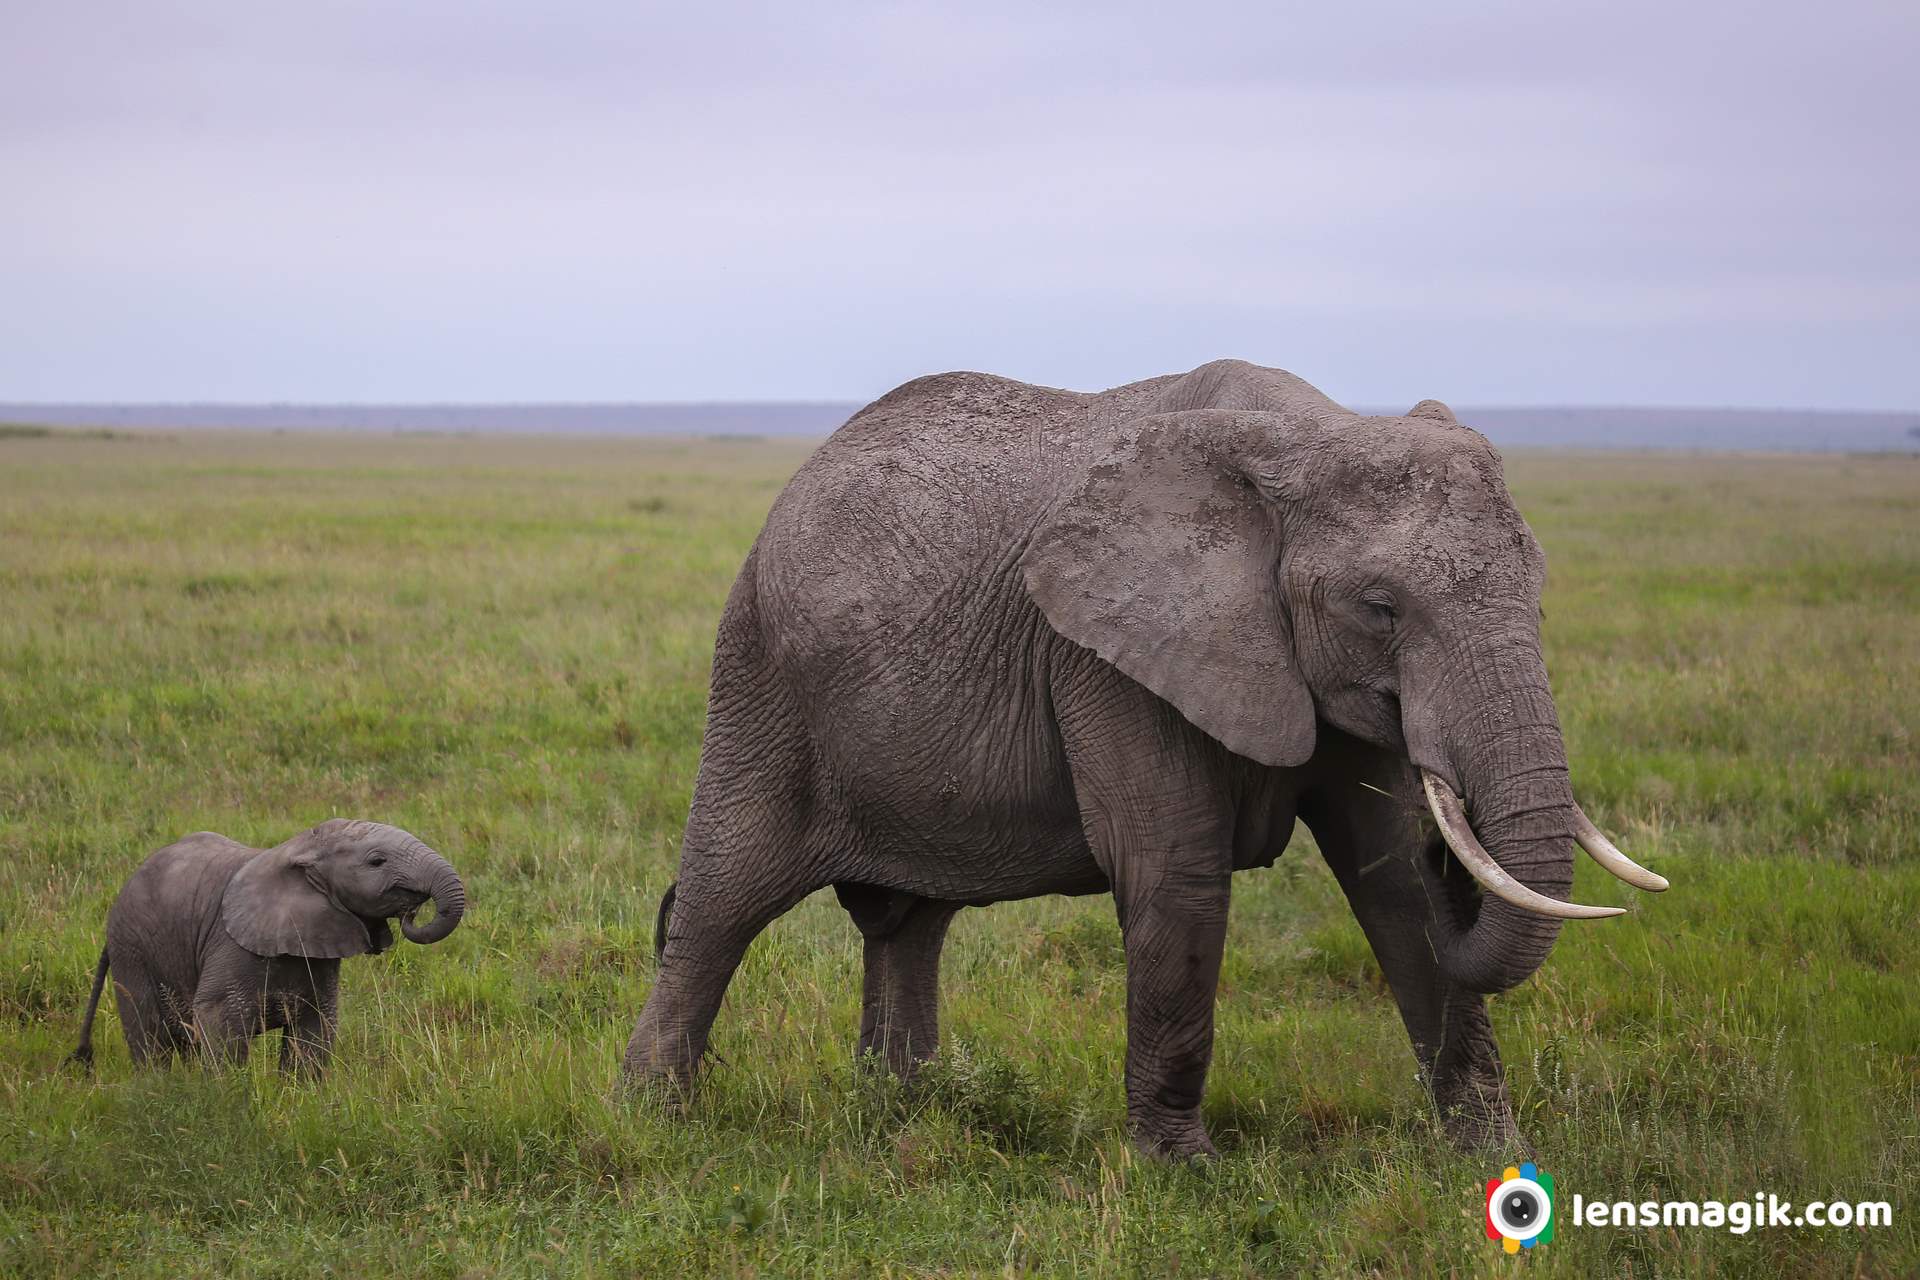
{"x": 329, "y": 893}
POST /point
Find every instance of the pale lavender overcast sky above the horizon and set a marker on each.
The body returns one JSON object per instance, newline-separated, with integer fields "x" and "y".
{"x": 494, "y": 201}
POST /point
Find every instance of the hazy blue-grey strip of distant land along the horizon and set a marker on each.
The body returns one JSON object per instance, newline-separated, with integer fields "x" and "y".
{"x": 1545, "y": 427}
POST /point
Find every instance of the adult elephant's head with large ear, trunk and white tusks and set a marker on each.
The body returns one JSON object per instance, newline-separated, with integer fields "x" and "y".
{"x": 1284, "y": 563}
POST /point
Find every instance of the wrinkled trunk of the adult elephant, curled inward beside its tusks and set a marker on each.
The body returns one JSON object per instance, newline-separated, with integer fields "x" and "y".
{"x": 1512, "y": 767}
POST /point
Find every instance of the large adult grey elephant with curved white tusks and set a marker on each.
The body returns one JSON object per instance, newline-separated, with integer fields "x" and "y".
{"x": 1003, "y": 640}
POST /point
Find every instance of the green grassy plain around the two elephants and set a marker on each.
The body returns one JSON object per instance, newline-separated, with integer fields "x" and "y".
{"x": 504, "y": 646}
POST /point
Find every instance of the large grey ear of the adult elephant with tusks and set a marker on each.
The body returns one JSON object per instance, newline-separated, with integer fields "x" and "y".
{"x": 1164, "y": 561}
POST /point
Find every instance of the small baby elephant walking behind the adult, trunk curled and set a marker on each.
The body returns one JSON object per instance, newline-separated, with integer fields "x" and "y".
{"x": 214, "y": 943}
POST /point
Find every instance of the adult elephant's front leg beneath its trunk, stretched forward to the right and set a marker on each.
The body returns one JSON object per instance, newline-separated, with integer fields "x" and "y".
{"x": 1368, "y": 826}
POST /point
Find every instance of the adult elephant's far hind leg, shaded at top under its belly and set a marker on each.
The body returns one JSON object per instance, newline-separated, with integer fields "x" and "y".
{"x": 900, "y": 999}
